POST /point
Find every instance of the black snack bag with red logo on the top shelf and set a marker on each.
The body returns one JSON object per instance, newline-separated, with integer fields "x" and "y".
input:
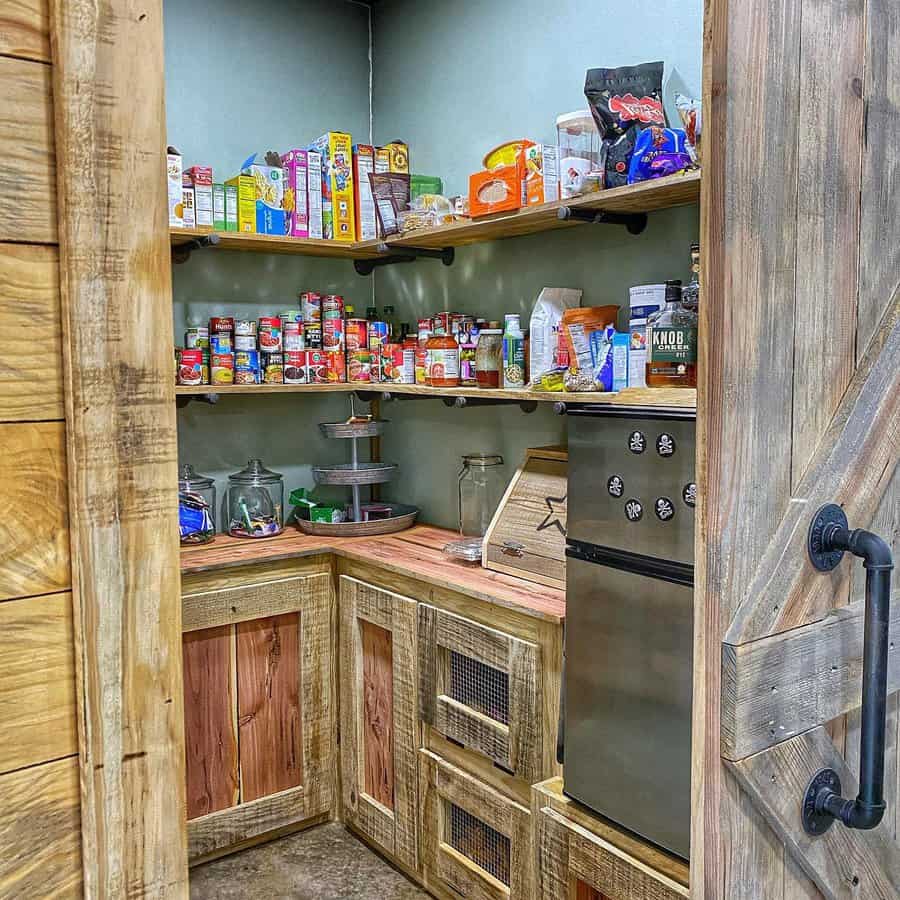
{"x": 623, "y": 101}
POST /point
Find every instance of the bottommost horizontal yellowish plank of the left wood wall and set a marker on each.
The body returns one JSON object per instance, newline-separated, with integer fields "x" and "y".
{"x": 40, "y": 832}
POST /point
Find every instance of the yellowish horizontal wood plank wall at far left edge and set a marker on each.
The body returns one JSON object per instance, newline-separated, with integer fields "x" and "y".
{"x": 39, "y": 793}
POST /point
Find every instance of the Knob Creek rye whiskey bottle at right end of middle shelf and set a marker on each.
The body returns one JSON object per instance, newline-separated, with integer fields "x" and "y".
{"x": 672, "y": 342}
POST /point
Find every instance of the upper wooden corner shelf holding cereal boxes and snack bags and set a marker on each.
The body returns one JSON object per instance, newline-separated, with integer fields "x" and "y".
{"x": 648, "y": 196}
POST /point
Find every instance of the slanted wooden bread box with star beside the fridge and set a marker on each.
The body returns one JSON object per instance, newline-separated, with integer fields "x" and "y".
{"x": 527, "y": 536}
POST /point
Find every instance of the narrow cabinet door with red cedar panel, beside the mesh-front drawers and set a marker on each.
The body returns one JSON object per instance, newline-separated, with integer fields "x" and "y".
{"x": 379, "y": 717}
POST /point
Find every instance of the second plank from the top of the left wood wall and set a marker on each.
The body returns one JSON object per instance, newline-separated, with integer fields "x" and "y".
{"x": 28, "y": 173}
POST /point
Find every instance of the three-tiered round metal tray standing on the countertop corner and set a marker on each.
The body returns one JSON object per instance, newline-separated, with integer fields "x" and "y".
{"x": 355, "y": 474}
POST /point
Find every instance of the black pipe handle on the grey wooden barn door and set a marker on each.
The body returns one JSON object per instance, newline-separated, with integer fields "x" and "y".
{"x": 829, "y": 537}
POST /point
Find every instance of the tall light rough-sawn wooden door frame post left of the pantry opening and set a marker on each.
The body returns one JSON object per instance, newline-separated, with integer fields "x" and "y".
{"x": 116, "y": 289}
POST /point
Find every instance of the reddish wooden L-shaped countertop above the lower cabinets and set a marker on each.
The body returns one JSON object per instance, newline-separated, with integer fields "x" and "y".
{"x": 415, "y": 553}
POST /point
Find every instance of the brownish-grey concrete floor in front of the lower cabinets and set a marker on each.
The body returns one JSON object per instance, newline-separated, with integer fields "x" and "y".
{"x": 323, "y": 863}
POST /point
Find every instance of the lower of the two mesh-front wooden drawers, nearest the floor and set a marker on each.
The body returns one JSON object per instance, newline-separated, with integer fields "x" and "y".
{"x": 474, "y": 839}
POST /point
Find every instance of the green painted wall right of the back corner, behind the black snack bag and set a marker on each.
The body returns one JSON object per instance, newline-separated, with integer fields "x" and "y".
{"x": 455, "y": 79}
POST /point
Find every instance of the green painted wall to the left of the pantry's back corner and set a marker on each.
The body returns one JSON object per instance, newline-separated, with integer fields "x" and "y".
{"x": 259, "y": 77}
